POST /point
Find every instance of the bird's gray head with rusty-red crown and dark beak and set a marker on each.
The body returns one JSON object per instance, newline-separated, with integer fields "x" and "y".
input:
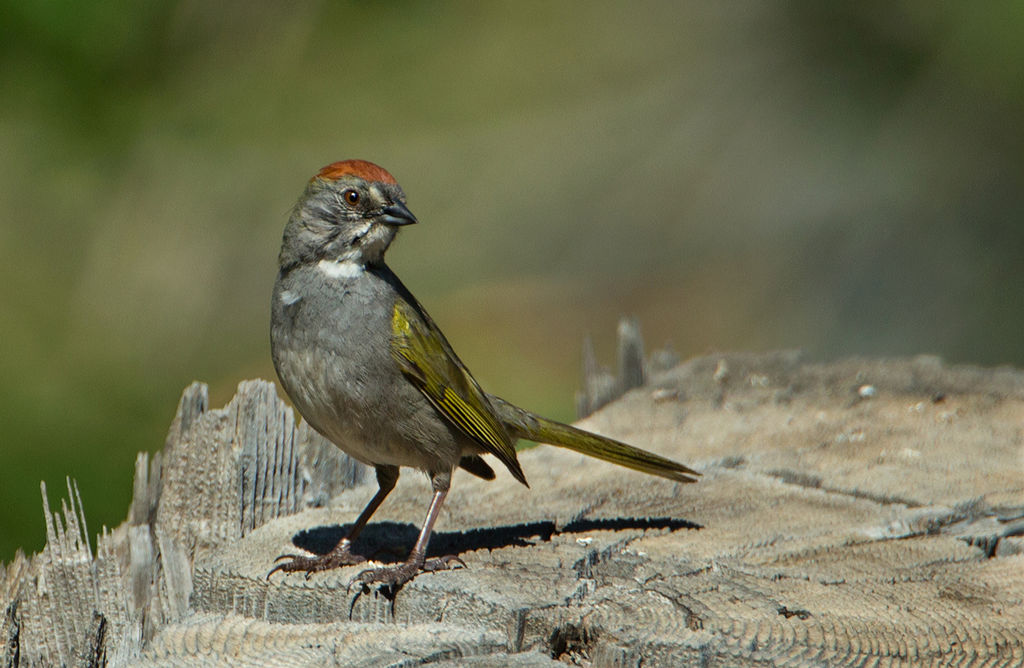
{"x": 350, "y": 214}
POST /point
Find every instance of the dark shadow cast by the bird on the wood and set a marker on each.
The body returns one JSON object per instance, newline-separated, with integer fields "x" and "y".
{"x": 391, "y": 541}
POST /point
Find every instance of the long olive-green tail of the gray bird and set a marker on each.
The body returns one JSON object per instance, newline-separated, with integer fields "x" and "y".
{"x": 525, "y": 425}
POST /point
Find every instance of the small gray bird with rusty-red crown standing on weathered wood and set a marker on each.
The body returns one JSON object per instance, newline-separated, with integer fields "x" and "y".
{"x": 368, "y": 368}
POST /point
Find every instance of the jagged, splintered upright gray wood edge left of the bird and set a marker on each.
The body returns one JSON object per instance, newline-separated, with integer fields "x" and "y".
{"x": 222, "y": 475}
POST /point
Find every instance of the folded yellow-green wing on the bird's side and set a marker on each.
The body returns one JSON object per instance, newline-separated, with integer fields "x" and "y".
{"x": 429, "y": 361}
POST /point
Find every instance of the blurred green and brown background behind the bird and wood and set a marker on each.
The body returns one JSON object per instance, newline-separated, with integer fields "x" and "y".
{"x": 847, "y": 179}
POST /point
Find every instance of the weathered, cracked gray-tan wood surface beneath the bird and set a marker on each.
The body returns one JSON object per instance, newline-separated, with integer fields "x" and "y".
{"x": 864, "y": 512}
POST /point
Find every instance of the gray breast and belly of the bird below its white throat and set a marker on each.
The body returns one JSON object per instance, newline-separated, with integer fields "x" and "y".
{"x": 331, "y": 344}
